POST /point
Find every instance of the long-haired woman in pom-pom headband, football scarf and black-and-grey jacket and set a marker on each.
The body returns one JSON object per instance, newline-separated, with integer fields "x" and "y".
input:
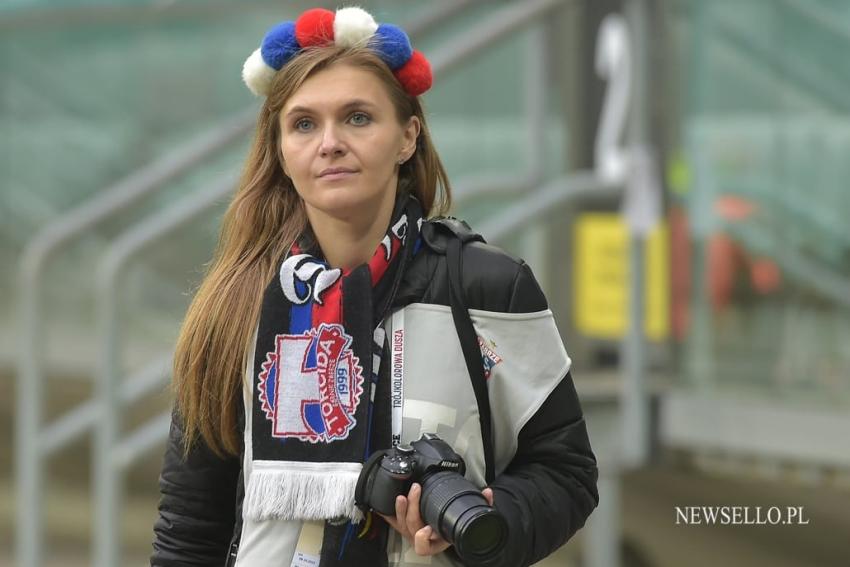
{"x": 322, "y": 333}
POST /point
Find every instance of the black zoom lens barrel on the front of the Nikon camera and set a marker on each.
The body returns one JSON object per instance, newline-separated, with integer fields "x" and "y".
{"x": 461, "y": 514}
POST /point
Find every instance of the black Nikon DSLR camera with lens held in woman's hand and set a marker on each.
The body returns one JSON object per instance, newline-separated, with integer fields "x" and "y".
{"x": 449, "y": 503}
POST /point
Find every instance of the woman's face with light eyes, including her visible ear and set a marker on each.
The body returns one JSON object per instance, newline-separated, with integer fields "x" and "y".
{"x": 342, "y": 119}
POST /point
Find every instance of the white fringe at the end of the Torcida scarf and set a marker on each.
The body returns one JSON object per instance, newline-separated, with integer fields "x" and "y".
{"x": 302, "y": 491}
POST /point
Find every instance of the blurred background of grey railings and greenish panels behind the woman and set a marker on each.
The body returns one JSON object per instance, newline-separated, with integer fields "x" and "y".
{"x": 691, "y": 154}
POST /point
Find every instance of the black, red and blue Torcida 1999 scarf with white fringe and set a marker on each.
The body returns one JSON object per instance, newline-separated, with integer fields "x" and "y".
{"x": 321, "y": 397}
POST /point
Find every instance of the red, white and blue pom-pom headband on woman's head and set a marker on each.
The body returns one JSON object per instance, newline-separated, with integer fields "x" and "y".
{"x": 347, "y": 27}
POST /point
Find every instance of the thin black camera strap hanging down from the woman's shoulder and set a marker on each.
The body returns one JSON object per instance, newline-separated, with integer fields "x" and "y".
{"x": 471, "y": 350}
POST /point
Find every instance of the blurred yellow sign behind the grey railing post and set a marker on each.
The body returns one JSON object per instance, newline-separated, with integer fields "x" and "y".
{"x": 601, "y": 277}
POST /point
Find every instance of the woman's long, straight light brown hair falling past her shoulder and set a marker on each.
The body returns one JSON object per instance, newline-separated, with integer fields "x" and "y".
{"x": 262, "y": 221}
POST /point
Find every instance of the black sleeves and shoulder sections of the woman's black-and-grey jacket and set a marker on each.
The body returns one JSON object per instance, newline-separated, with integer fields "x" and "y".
{"x": 546, "y": 493}
